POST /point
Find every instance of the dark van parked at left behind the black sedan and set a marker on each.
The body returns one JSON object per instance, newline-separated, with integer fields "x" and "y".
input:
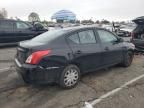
{"x": 12, "y": 31}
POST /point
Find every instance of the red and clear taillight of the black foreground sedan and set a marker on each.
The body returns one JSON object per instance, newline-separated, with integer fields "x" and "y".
{"x": 35, "y": 57}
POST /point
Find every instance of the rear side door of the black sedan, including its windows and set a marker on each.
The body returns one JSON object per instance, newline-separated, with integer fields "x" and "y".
{"x": 86, "y": 50}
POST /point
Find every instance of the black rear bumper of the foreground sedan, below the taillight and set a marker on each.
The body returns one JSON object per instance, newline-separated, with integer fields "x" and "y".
{"x": 38, "y": 75}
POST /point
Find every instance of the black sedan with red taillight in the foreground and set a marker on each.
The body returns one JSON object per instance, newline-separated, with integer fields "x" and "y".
{"x": 63, "y": 55}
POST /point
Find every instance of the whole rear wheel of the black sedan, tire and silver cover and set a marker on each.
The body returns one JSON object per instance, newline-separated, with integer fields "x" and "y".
{"x": 70, "y": 77}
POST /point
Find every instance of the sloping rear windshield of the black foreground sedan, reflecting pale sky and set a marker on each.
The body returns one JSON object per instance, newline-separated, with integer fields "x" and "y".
{"x": 48, "y": 36}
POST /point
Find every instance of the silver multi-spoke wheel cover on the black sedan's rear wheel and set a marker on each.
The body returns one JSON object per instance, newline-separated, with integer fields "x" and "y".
{"x": 71, "y": 77}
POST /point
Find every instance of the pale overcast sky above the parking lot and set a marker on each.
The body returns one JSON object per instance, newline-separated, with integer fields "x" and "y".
{"x": 113, "y": 10}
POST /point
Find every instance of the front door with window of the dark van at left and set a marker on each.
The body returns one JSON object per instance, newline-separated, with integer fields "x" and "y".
{"x": 23, "y": 32}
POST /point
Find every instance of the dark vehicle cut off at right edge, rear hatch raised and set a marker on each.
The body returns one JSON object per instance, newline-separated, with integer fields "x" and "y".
{"x": 138, "y": 34}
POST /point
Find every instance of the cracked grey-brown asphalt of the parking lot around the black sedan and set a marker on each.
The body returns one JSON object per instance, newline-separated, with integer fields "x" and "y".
{"x": 14, "y": 93}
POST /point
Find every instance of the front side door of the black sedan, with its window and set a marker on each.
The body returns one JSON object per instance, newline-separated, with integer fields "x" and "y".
{"x": 112, "y": 52}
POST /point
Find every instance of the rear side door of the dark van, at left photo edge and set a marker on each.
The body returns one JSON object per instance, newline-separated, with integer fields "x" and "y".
{"x": 6, "y": 31}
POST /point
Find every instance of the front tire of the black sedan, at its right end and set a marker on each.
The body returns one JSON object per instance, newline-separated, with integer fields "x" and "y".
{"x": 128, "y": 58}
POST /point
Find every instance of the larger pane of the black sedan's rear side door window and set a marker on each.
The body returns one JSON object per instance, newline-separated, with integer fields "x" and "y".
{"x": 87, "y": 37}
